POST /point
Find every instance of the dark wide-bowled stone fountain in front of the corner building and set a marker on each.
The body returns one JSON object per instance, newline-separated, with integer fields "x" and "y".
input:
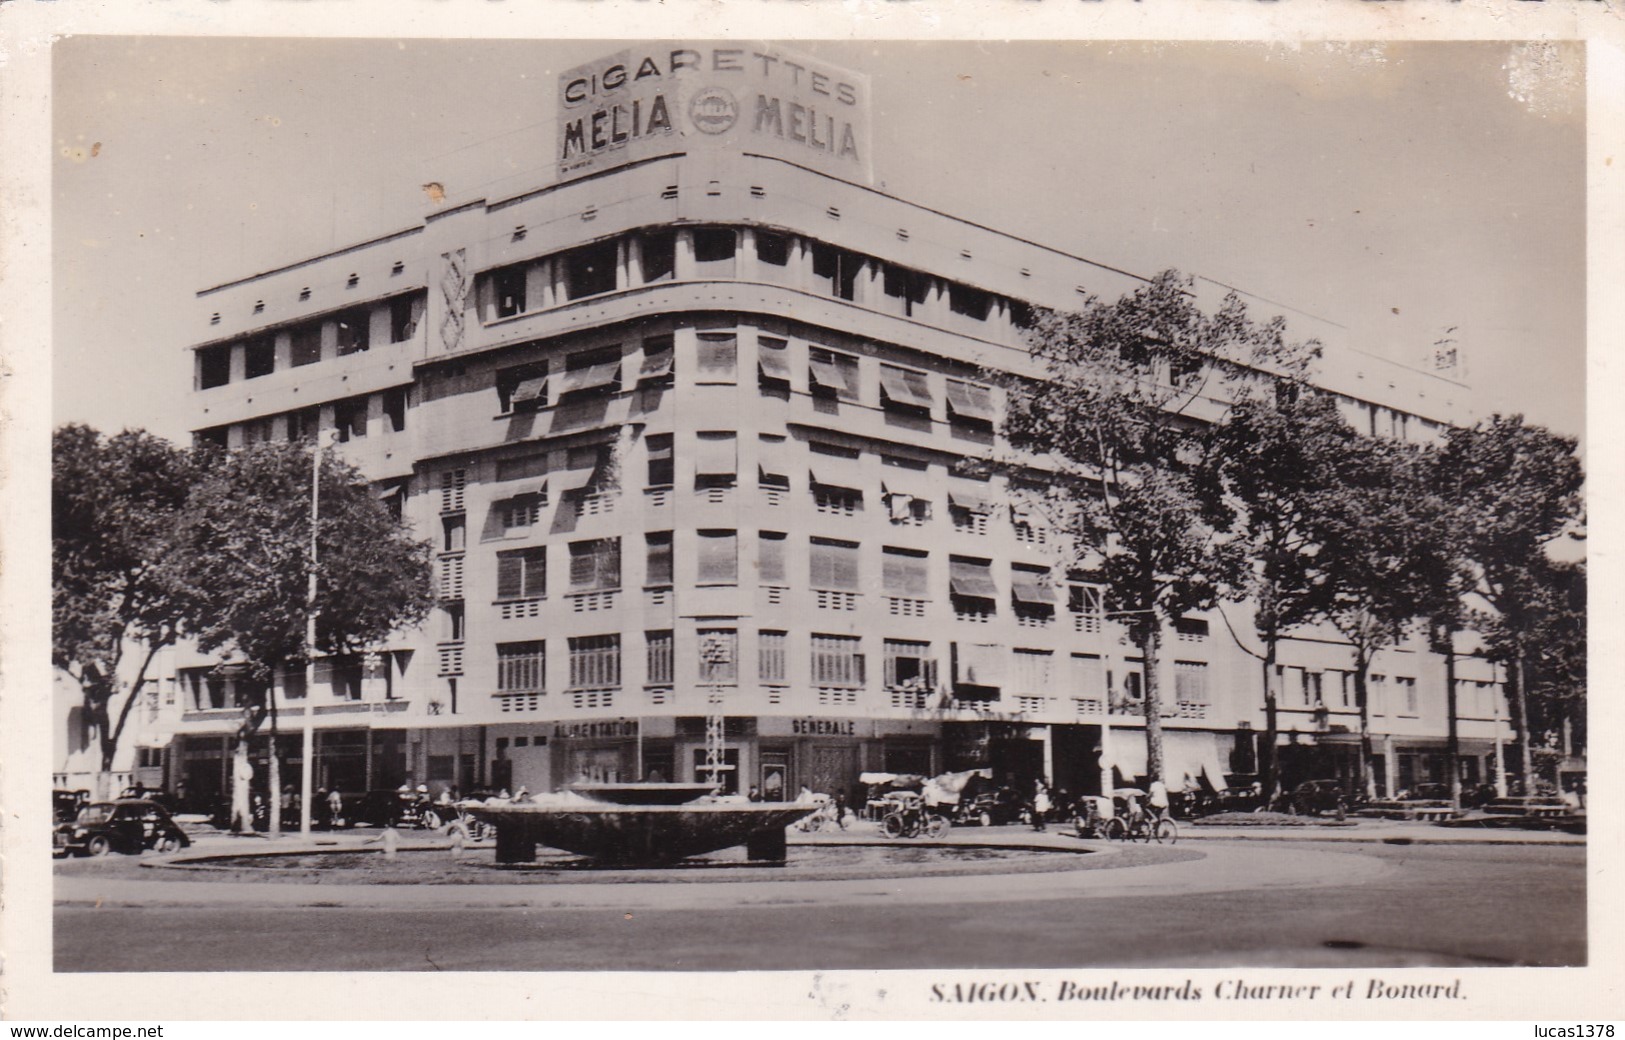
{"x": 641, "y": 825}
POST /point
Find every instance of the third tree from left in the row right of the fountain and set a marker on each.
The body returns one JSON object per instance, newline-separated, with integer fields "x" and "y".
{"x": 1382, "y": 560}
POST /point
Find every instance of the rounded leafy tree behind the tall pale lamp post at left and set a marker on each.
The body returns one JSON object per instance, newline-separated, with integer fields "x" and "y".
{"x": 248, "y": 542}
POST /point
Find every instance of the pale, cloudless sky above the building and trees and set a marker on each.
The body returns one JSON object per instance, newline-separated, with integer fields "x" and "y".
{"x": 1395, "y": 189}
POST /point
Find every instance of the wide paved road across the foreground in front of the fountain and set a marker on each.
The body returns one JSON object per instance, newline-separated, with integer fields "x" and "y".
{"x": 1320, "y": 906}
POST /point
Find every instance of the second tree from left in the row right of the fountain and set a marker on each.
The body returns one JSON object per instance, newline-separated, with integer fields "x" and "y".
{"x": 1281, "y": 453}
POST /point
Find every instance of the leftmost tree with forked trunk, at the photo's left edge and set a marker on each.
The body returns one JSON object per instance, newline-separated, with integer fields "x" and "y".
{"x": 115, "y": 511}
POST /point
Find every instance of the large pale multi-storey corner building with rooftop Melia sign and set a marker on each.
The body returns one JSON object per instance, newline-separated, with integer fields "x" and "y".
{"x": 688, "y": 428}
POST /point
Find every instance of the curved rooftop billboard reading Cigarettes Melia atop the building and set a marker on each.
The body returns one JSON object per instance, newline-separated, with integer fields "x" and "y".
{"x": 646, "y": 100}
